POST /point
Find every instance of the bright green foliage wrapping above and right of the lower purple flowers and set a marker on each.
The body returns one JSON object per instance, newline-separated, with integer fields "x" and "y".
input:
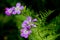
{"x": 42, "y": 31}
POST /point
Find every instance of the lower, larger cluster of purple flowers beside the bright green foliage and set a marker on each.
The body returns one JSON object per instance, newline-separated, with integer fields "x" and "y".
{"x": 26, "y": 26}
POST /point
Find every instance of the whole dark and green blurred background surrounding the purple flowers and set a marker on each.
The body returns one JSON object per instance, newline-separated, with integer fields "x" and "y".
{"x": 10, "y": 25}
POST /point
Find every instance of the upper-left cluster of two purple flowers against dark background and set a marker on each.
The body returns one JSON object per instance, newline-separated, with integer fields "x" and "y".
{"x": 14, "y": 10}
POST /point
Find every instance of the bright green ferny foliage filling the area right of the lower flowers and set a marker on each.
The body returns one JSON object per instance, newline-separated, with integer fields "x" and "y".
{"x": 45, "y": 32}
